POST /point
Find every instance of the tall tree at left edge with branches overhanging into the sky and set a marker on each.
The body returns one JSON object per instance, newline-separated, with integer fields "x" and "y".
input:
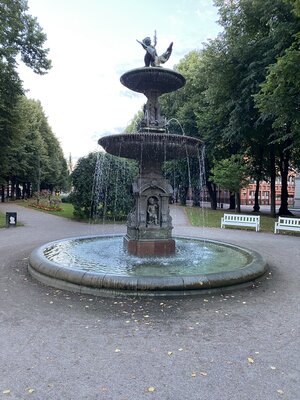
{"x": 20, "y": 35}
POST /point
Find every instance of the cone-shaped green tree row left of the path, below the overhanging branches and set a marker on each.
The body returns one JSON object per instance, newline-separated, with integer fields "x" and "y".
{"x": 35, "y": 157}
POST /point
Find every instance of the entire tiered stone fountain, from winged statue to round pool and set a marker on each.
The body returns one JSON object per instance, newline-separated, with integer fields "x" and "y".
{"x": 148, "y": 260}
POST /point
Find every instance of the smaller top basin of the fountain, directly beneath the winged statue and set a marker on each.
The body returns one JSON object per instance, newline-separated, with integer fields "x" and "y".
{"x": 145, "y": 79}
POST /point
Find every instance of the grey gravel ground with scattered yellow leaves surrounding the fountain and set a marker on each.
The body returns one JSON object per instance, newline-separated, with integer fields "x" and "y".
{"x": 243, "y": 345}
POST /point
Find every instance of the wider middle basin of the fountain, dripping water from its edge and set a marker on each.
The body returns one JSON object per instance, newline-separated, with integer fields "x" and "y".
{"x": 151, "y": 146}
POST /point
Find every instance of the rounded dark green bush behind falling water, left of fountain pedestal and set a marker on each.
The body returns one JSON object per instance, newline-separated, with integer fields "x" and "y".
{"x": 101, "y": 186}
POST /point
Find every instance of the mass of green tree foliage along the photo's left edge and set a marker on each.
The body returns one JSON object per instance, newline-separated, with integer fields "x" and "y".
{"x": 30, "y": 154}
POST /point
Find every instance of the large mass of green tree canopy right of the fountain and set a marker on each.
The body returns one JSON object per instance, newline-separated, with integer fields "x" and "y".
{"x": 242, "y": 91}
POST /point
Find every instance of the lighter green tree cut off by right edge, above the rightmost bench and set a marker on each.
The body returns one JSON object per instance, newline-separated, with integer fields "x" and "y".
{"x": 279, "y": 102}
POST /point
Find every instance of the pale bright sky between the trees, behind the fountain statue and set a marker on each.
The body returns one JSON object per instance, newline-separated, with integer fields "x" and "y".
{"x": 92, "y": 43}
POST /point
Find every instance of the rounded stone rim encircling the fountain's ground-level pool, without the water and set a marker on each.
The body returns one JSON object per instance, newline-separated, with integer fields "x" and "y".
{"x": 106, "y": 284}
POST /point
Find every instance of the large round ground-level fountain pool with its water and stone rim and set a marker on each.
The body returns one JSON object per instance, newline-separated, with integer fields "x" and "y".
{"x": 99, "y": 265}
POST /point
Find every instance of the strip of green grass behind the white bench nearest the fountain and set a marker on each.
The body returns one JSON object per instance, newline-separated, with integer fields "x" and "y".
{"x": 212, "y": 218}
